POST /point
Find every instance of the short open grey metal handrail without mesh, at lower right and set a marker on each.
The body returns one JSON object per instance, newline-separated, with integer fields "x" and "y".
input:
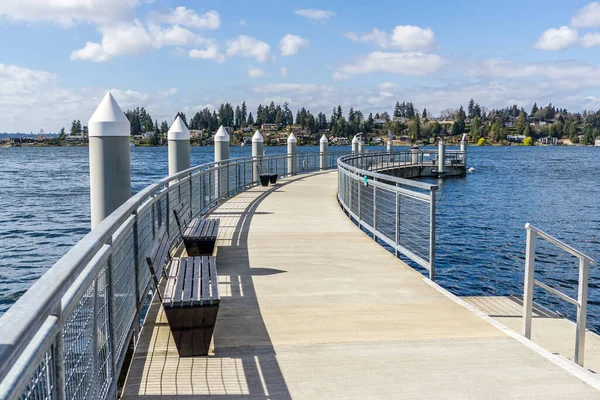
{"x": 582, "y": 293}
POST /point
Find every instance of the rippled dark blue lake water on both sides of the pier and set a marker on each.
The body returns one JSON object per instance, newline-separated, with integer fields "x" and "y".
{"x": 44, "y": 210}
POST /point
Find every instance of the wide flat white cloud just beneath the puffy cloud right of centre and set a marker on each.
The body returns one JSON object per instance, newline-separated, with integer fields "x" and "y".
{"x": 410, "y": 63}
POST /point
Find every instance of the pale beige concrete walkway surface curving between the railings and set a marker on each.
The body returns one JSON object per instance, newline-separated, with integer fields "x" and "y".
{"x": 313, "y": 308}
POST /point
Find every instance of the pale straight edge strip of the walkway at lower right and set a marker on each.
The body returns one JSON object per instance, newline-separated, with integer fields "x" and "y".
{"x": 567, "y": 365}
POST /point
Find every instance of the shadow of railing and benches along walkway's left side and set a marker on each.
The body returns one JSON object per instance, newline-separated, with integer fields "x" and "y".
{"x": 243, "y": 363}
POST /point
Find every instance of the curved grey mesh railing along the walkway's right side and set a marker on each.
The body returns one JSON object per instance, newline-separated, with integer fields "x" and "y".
{"x": 399, "y": 212}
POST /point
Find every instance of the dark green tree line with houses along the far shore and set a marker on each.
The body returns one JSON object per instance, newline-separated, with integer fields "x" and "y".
{"x": 477, "y": 121}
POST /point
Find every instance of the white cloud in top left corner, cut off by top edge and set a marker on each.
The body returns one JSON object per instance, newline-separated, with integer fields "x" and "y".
{"x": 69, "y": 12}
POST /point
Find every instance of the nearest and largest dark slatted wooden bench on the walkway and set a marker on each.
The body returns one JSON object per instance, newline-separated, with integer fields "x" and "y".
{"x": 188, "y": 288}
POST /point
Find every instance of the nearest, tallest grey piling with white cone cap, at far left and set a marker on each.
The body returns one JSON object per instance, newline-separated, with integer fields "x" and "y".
{"x": 110, "y": 159}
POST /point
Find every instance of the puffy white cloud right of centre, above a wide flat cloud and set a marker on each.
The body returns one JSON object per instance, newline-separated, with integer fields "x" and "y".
{"x": 405, "y": 37}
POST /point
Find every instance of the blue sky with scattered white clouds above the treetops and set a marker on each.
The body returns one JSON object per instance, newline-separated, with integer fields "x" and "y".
{"x": 58, "y": 58}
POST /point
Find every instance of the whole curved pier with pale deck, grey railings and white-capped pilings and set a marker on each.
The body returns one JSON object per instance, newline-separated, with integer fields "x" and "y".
{"x": 315, "y": 301}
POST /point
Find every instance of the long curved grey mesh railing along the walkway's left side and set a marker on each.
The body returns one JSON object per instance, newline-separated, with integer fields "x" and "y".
{"x": 67, "y": 336}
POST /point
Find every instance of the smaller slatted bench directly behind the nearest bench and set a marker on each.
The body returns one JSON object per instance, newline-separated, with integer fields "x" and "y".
{"x": 199, "y": 234}
